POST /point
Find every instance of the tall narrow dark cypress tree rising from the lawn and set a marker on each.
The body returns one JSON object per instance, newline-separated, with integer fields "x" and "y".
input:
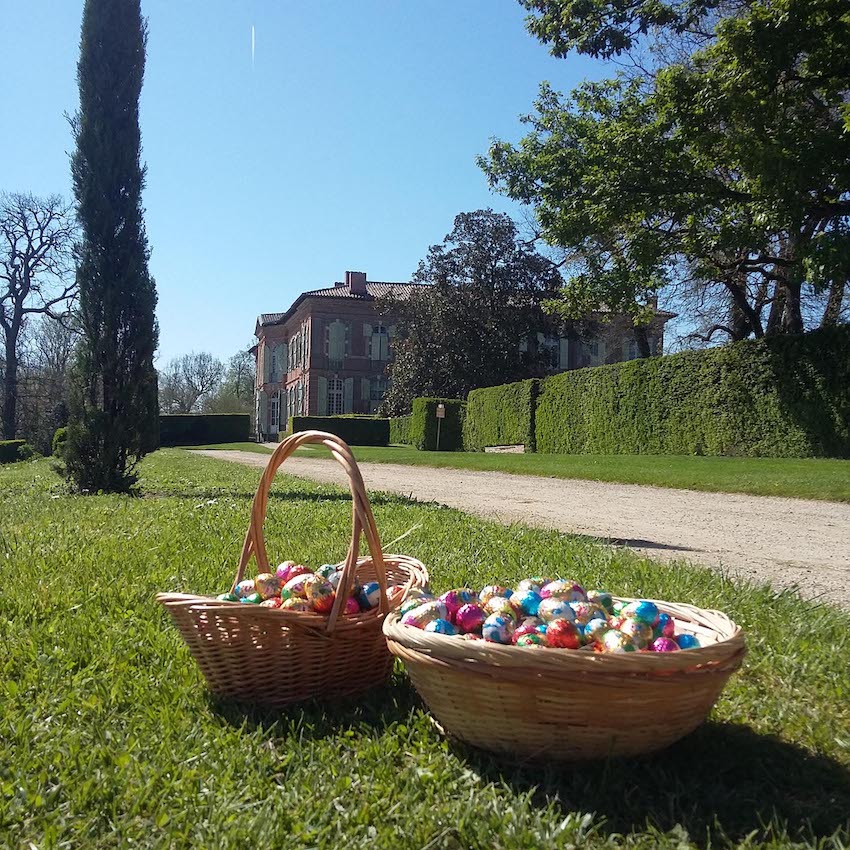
{"x": 113, "y": 398}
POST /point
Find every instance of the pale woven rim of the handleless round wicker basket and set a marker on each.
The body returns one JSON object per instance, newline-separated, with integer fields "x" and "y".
{"x": 728, "y": 645}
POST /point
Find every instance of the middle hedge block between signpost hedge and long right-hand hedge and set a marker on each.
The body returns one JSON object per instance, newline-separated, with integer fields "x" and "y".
{"x": 501, "y": 416}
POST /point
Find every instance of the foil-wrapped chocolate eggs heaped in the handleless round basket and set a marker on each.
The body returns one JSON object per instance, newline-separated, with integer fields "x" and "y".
{"x": 545, "y": 612}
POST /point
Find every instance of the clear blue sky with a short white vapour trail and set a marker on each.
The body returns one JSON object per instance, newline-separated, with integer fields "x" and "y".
{"x": 350, "y": 143}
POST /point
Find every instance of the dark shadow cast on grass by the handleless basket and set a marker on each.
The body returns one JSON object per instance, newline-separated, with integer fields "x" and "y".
{"x": 722, "y": 782}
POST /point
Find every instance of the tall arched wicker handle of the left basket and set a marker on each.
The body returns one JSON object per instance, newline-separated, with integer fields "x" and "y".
{"x": 362, "y": 519}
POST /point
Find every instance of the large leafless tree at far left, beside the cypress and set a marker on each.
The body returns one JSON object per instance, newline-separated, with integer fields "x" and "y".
{"x": 36, "y": 243}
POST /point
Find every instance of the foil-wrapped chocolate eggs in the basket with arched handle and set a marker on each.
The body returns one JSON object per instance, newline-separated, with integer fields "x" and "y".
{"x": 294, "y": 587}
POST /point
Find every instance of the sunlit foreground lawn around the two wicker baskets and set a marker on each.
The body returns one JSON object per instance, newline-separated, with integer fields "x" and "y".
{"x": 108, "y": 737}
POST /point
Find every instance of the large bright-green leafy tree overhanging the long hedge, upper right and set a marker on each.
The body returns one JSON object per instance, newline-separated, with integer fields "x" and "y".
{"x": 726, "y": 167}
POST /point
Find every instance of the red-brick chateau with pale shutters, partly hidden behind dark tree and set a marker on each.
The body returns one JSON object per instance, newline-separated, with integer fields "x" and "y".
{"x": 327, "y": 354}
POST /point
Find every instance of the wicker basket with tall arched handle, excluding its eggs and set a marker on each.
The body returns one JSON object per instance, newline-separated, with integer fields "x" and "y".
{"x": 275, "y": 656}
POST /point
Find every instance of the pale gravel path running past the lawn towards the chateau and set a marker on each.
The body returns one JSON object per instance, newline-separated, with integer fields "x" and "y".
{"x": 781, "y": 541}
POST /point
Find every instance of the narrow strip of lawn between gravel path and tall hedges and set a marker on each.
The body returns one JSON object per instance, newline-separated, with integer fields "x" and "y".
{"x": 804, "y": 478}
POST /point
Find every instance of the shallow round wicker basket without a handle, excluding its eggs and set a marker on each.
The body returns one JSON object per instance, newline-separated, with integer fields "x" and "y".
{"x": 570, "y": 705}
